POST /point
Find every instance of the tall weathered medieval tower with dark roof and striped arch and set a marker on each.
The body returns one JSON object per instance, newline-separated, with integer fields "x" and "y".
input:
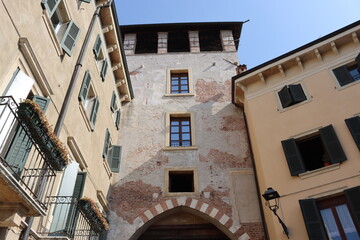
{"x": 186, "y": 166}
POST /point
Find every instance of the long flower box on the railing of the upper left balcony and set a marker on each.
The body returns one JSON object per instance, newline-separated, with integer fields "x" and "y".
{"x": 42, "y": 132}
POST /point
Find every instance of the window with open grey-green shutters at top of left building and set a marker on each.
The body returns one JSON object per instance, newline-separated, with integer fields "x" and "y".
{"x": 66, "y": 30}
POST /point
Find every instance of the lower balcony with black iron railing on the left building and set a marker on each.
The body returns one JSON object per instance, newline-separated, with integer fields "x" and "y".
{"x": 67, "y": 220}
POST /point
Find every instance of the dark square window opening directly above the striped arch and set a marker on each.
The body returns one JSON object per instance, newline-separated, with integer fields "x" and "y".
{"x": 181, "y": 181}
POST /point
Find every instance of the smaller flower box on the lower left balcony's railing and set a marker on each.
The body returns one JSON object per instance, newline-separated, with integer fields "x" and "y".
{"x": 89, "y": 208}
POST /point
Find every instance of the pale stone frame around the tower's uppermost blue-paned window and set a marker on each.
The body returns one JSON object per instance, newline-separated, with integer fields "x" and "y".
{"x": 168, "y": 82}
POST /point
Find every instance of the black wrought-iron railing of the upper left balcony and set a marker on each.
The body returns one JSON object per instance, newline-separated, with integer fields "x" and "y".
{"x": 22, "y": 163}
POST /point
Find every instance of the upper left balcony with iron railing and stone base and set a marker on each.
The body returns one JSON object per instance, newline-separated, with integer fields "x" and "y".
{"x": 26, "y": 175}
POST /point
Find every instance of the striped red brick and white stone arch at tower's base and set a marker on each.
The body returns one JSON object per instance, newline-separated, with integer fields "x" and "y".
{"x": 231, "y": 228}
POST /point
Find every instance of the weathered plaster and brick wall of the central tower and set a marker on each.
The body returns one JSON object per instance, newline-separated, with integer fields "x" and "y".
{"x": 221, "y": 139}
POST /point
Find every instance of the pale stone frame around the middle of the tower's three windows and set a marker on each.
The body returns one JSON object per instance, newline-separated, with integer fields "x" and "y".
{"x": 190, "y": 115}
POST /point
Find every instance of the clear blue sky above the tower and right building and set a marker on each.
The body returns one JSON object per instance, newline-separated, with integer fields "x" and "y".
{"x": 275, "y": 26}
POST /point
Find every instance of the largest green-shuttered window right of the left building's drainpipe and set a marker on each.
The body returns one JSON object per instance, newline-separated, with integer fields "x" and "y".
{"x": 89, "y": 100}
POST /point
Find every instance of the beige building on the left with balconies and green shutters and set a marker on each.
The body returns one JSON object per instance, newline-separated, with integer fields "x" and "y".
{"x": 67, "y": 57}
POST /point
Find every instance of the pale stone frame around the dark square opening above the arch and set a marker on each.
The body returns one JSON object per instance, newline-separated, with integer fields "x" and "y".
{"x": 180, "y": 169}
